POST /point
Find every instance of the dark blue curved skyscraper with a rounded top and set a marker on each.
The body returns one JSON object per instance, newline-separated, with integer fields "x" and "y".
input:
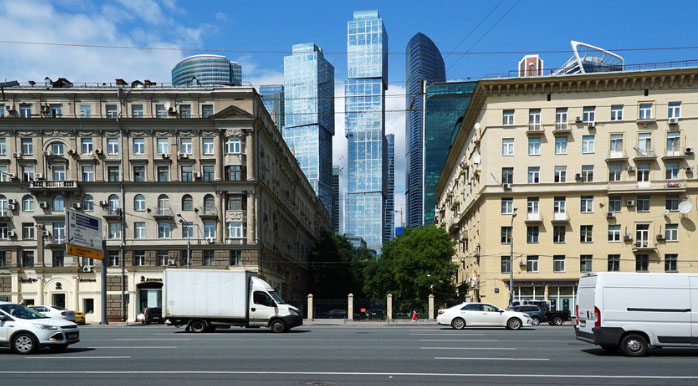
{"x": 424, "y": 65}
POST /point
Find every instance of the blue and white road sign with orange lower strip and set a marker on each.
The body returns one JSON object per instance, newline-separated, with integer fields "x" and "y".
{"x": 83, "y": 235}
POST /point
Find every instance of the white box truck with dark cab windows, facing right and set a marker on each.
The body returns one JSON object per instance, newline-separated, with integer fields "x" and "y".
{"x": 205, "y": 299}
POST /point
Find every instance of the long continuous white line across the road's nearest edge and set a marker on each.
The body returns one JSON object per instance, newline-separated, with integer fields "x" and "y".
{"x": 346, "y": 373}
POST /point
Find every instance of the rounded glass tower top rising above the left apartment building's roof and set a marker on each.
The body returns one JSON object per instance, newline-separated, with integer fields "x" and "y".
{"x": 206, "y": 70}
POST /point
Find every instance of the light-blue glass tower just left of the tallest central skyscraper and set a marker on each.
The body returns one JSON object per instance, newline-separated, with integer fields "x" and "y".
{"x": 309, "y": 109}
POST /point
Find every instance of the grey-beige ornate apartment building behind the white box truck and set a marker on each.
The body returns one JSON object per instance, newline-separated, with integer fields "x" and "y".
{"x": 181, "y": 177}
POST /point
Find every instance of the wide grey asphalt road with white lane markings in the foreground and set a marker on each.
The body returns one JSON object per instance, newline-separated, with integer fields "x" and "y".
{"x": 339, "y": 355}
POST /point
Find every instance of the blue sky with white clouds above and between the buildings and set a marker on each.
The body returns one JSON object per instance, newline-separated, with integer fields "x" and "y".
{"x": 477, "y": 27}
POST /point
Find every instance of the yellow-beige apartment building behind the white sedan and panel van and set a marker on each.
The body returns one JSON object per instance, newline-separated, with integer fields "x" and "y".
{"x": 581, "y": 173}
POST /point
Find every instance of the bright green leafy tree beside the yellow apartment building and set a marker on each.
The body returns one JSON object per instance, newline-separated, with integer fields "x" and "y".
{"x": 410, "y": 265}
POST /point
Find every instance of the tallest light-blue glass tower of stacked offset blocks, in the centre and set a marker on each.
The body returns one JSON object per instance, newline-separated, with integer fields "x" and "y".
{"x": 367, "y": 70}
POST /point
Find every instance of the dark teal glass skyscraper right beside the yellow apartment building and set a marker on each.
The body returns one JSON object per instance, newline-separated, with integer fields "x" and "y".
{"x": 445, "y": 106}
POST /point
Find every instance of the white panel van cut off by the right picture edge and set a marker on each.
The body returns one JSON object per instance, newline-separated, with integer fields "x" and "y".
{"x": 635, "y": 311}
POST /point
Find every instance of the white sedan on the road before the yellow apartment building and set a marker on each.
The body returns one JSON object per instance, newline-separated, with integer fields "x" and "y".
{"x": 482, "y": 314}
